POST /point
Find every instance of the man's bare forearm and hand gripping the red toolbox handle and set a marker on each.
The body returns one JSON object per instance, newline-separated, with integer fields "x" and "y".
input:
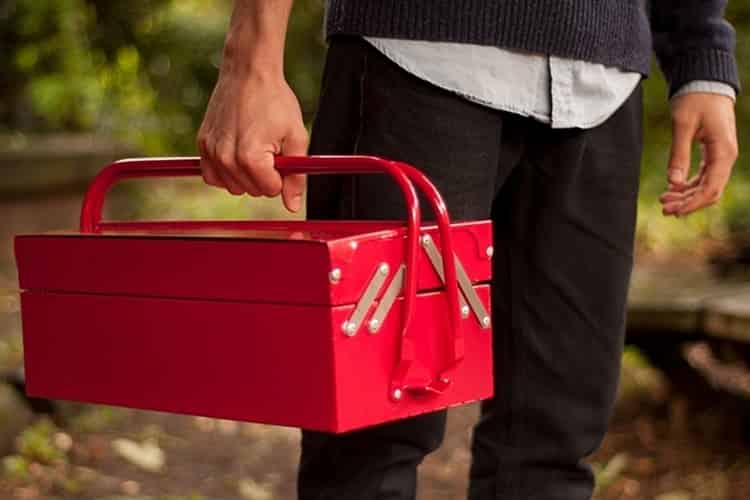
{"x": 253, "y": 115}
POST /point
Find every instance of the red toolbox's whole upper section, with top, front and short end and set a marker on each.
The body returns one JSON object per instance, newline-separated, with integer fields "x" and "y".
{"x": 308, "y": 262}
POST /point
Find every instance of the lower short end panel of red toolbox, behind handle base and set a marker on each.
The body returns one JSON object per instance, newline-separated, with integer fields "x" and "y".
{"x": 365, "y": 364}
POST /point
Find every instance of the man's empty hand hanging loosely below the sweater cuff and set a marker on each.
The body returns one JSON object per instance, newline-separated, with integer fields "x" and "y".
{"x": 708, "y": 119}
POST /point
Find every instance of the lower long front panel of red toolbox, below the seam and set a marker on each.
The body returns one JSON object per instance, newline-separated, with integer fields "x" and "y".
{"x": 254, "y": 362}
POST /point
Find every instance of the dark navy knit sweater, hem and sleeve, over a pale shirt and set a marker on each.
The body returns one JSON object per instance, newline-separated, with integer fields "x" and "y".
{"x": 691, "y": 38}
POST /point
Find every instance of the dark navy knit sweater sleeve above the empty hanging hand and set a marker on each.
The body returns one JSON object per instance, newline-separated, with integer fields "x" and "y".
{"x": 693, "y": 41}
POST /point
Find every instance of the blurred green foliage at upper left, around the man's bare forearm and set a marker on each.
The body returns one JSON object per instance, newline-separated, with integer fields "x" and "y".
{"x": 140, "y": 70}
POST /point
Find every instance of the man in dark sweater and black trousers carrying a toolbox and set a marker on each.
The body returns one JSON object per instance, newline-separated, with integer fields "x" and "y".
{"x": 526, "y": 111}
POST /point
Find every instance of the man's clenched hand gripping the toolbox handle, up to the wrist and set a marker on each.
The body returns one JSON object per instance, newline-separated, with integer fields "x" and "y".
{"x": 249, "y": 120}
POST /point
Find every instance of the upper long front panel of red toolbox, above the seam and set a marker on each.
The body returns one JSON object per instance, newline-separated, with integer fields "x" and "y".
{"x": 230, "y": 269}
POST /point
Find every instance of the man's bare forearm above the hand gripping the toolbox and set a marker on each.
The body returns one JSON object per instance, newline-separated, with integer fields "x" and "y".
{"x": 255, "y": 40}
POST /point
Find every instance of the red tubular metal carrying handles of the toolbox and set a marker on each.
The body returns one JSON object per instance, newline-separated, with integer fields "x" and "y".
{"x": 409, "y": 374}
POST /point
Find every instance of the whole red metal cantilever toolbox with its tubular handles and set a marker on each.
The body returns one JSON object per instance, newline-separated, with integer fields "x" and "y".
{"x": 325, "y": 325}
